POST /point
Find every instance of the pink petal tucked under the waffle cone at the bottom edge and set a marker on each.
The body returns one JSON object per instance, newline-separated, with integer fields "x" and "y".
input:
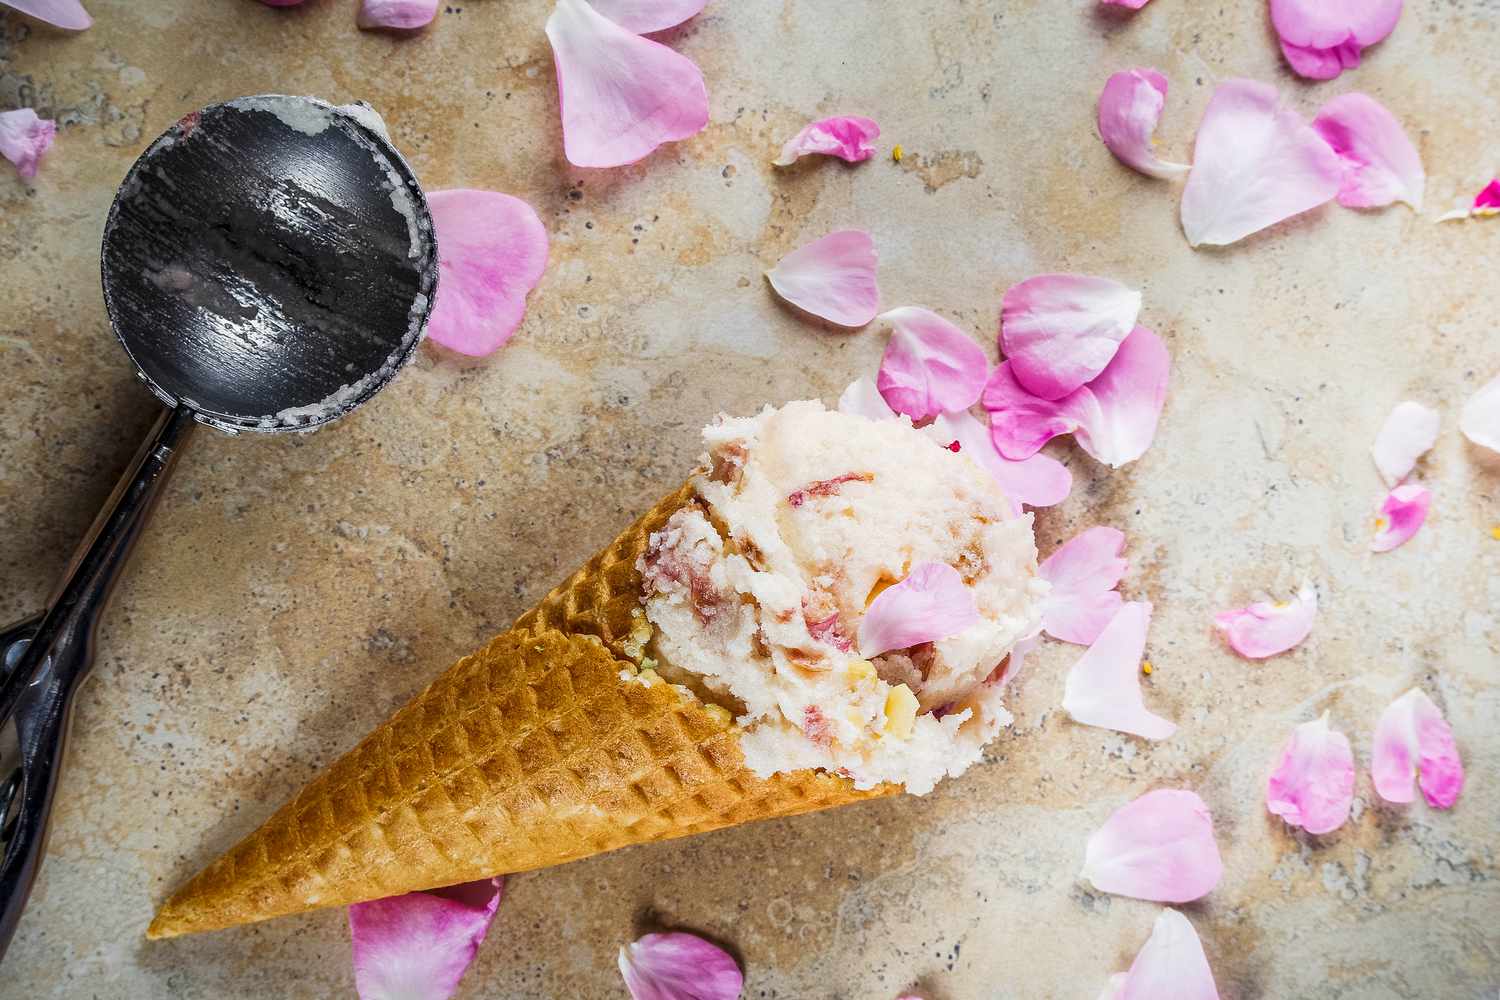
{"x": 419, "y": 945}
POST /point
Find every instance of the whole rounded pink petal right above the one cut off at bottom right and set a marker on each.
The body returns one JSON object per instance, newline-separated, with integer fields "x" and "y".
{"x": 1159, "y": 848}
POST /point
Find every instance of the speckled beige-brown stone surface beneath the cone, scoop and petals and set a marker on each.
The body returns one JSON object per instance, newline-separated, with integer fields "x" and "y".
{"x": 293, "y": 591}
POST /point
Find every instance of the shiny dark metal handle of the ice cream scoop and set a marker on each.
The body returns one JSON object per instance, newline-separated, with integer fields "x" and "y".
{"x": 46, "y": 660}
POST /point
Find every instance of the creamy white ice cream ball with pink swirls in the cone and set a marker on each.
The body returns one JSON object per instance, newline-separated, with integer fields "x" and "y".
{"x": 758, "y": 590}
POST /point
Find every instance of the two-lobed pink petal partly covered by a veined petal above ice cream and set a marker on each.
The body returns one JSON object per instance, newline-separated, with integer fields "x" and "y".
{"x": 1114, "y": 418}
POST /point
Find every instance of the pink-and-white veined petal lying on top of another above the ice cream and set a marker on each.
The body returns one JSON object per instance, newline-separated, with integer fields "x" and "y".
{"x": 1061, "y": 331}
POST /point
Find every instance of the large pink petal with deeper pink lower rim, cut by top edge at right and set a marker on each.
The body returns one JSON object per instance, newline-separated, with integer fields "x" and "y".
{"x": 1324, "y": 38}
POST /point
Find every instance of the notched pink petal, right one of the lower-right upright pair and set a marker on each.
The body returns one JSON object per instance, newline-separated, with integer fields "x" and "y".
{"x": 1412, "y": 740}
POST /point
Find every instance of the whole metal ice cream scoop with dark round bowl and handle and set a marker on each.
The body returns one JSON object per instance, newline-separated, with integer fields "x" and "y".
{"x": 269, "y": 265}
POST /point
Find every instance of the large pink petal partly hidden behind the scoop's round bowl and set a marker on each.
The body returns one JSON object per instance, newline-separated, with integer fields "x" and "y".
{"x": 491, "y": 254}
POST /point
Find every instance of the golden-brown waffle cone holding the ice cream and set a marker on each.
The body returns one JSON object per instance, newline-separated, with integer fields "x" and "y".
{"x": 533, "y": 752}
